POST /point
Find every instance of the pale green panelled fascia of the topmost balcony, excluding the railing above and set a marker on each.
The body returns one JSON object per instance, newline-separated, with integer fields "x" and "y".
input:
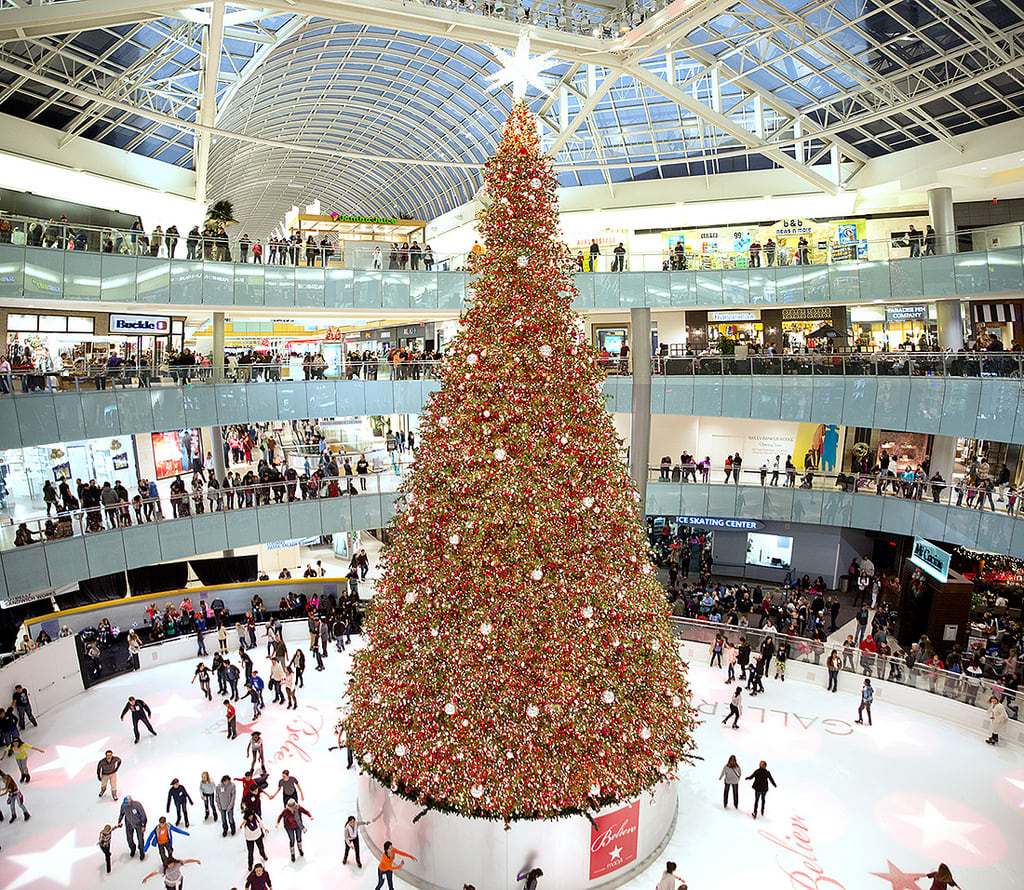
{"x": 37, "y": 275}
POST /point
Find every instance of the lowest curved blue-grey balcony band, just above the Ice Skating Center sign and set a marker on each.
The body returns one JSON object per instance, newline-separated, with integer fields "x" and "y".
{"x": 38, "y": 567}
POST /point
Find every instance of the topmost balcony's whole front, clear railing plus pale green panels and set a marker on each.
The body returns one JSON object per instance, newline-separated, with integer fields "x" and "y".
{"x": 212, "y": 273}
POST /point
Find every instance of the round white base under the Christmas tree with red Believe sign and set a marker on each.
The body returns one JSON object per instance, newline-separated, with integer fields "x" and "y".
{"x": 453, "y": 851}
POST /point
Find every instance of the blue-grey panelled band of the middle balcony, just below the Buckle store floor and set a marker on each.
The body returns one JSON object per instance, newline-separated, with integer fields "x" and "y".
{"x": 966, "y": 398}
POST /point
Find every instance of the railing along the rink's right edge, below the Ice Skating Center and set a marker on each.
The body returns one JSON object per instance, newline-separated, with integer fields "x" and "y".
{"x": 934, "y": 681}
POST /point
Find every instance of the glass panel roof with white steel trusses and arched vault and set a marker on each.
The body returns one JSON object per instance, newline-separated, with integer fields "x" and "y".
{"x": 356, "y": 110}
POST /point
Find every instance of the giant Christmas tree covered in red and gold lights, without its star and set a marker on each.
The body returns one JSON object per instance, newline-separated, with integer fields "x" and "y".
{"x": 520, "y": 659}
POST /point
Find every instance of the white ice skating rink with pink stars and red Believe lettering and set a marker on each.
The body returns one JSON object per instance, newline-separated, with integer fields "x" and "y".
{"x": 857, "y": 808}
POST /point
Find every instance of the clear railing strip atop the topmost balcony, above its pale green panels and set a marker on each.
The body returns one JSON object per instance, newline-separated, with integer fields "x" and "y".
{"x": 55, "y": 234}
